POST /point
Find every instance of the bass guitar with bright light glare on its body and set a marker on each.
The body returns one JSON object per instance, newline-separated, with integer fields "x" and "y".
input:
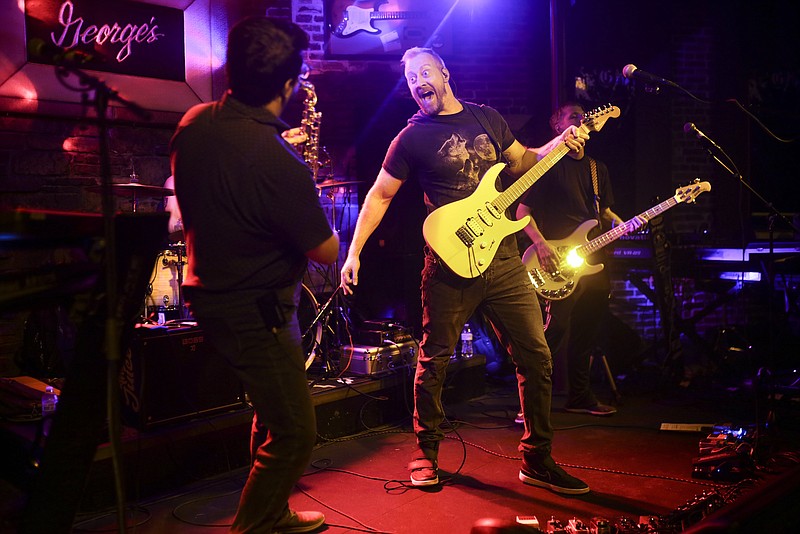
{"x": 574, "y": 249}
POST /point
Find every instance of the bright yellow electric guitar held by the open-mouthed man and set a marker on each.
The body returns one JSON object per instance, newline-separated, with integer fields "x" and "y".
{"x": 465, "y": 234}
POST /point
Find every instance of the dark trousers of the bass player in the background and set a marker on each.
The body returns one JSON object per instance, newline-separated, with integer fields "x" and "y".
{"x": 572, "y": 335}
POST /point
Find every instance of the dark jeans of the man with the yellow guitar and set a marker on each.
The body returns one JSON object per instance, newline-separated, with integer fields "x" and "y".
{"x": 505, "y": 295}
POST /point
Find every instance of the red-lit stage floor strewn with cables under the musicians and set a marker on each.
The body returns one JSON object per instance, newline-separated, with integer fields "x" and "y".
{"x": 635, "y": 469}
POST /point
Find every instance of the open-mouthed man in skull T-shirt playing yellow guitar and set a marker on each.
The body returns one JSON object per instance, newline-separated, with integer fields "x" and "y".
{"x": 445, "y": 148}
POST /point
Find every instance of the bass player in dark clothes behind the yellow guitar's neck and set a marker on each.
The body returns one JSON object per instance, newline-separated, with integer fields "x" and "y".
{"x": 576, "y": 189}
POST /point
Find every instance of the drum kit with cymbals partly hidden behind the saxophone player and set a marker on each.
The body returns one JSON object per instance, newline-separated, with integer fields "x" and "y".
{"x": 164, "y": 302}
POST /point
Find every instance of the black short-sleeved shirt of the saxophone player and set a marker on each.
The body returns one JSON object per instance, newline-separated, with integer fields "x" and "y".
{"x": 250, "y": 207}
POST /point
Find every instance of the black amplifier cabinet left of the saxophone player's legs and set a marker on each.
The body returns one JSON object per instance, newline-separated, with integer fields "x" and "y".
{"x": 172, "y": 375}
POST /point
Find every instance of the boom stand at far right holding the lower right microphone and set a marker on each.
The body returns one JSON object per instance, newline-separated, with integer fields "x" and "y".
{"x": 774, "y": 214}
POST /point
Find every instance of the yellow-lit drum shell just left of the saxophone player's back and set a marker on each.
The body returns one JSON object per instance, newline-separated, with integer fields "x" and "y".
{"x": 164, "y": 301}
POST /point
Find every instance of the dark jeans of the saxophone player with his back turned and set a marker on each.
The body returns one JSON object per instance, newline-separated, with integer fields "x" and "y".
{"x": 271, "y": 366}
